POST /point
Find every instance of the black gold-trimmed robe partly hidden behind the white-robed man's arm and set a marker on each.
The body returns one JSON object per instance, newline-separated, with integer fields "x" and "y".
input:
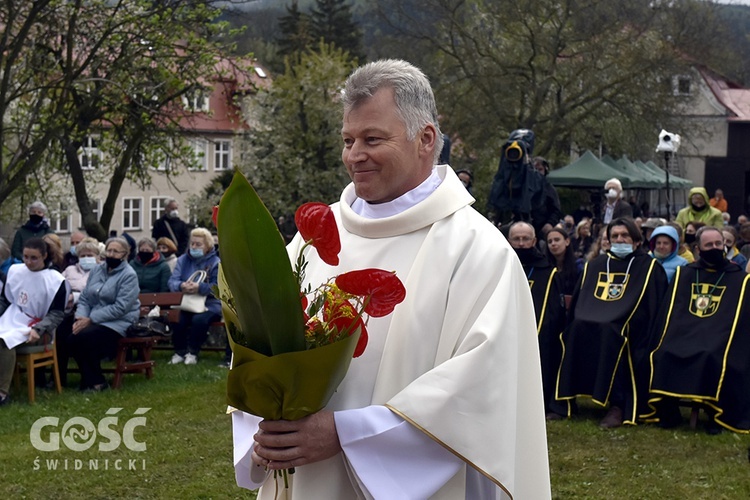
{"x": 549, "y": 306}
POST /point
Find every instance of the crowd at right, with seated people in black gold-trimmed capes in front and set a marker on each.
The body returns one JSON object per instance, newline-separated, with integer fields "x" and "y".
{"x": 646, "y": 316}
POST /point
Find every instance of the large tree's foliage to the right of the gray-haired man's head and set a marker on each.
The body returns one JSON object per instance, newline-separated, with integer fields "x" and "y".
{"x": 579, "y": 73}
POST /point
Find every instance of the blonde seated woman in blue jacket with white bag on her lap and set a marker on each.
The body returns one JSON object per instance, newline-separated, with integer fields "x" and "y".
{"x": 192, "y": 330}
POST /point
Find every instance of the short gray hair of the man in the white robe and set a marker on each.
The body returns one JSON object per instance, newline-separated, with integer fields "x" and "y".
{"x": 415, "y": 102}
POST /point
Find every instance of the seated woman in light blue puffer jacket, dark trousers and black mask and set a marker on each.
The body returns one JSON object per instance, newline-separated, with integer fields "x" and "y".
{"x": 108, "y": 305}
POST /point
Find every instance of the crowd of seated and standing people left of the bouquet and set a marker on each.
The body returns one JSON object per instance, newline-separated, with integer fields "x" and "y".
{"x": 87, "y": 297}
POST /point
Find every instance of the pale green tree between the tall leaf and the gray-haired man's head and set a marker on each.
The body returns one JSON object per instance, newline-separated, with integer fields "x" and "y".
{"x": 293, "y": 151}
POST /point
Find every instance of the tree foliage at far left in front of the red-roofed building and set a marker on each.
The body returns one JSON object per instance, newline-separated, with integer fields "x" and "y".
{"x": 105, "y": 68}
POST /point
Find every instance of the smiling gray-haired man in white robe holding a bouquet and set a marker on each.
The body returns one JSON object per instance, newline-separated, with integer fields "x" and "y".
{"x": 446, "y": 401}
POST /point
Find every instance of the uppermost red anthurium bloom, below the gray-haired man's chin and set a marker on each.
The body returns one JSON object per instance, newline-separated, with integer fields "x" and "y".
{"x": 316, "y": 223}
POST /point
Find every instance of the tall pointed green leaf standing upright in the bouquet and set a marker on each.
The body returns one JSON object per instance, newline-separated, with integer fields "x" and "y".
{"x": 258, "y": 273}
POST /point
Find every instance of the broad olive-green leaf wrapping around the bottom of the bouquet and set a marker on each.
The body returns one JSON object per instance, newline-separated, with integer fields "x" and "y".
{"x": 288, "y": 386}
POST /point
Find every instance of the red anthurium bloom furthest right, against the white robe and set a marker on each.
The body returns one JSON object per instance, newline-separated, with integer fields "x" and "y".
{"x": 383, "y": 288}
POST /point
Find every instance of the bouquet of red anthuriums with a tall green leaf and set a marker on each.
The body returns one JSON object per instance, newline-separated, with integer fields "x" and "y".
{"x": 292, "y": 347}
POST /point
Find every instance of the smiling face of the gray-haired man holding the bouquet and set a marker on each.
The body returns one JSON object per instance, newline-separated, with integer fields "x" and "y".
{"x": 380, "y": 160}
